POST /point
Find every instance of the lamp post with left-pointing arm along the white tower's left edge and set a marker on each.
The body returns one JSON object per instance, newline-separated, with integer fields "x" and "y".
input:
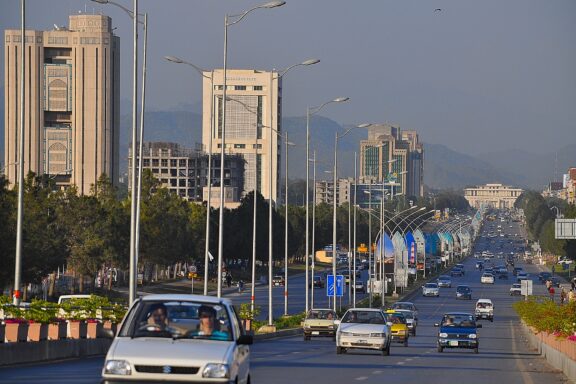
{"x": 201, "y": 72}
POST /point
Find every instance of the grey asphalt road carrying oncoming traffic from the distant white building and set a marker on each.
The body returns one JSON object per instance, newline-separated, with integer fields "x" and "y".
{"x": 504, "y": 354}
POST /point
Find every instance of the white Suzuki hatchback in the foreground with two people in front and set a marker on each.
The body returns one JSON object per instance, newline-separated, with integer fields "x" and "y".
{"x": 179, "y": 338}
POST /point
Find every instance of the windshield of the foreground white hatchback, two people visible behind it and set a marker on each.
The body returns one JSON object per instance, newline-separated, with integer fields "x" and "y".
{"x": 179, "y": 320}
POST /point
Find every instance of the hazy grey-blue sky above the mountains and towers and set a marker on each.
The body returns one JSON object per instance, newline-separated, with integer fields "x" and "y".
{"x": 478, "y": 76}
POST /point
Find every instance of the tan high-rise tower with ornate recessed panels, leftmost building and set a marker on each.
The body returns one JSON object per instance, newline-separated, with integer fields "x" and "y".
{"x": 72, "y": 102}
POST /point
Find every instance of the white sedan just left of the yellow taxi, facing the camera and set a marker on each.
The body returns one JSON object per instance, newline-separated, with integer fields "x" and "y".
{"x": 363, "y": 328}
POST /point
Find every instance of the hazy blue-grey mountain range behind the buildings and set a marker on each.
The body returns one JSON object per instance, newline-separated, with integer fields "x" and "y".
{"x": 444, "y": 168}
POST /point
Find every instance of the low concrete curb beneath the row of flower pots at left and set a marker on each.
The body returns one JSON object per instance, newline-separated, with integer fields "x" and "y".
{"x": 34, "y": 352}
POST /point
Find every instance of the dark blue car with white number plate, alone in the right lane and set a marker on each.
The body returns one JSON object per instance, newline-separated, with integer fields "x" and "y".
{"x": 458, "y": 330}
